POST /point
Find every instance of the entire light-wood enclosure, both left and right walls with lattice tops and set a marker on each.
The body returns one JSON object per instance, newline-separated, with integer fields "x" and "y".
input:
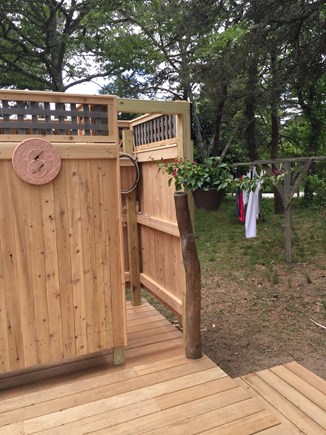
{"x": 62, "y": 242}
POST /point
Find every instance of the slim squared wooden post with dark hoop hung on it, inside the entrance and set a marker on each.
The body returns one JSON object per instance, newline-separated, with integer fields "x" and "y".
{"x": 133, "y": 245}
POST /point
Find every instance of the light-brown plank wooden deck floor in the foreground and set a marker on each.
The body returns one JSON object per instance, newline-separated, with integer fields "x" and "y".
{"x": 159, "y": 391}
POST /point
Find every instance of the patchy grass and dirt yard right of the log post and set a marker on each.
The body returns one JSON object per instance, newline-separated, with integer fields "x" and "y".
{"x": 256, "y": 311}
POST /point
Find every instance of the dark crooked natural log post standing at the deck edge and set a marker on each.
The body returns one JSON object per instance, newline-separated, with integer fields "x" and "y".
{"x": 193, "y": 278}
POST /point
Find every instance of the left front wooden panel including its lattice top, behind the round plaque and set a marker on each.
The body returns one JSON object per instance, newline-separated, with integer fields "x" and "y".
{"x": 61, "y": 276}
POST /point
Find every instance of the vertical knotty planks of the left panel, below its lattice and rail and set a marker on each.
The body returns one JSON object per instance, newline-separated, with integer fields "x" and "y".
{"x": 61, "y": 274}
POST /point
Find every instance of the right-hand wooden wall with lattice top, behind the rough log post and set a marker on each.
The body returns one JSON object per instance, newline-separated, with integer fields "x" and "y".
{"x": 154, "y": 138}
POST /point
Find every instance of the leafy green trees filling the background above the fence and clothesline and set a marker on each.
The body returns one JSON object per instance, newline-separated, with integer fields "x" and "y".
{"x": 200, "y": 50}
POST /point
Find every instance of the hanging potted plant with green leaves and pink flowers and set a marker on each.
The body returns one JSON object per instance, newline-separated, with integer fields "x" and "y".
{"x": 207, "y": 180}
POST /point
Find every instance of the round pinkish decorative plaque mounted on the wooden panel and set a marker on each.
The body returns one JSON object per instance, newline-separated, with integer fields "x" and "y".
{"x": 36, "y": 161}
